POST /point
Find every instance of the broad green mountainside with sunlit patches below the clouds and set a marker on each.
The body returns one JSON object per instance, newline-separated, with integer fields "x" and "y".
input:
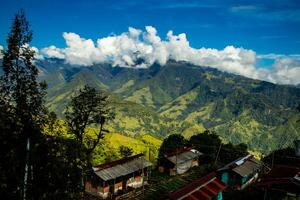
{"x": 184, "y": 98}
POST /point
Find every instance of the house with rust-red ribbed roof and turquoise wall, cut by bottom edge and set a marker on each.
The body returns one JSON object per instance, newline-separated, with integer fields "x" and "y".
{"x": 206, "y": 188}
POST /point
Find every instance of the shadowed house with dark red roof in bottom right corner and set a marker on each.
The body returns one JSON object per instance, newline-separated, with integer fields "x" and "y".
{"x": 283, "y": 179}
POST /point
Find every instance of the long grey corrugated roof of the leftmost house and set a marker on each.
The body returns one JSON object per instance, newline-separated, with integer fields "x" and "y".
{"x": 122, "y": 169}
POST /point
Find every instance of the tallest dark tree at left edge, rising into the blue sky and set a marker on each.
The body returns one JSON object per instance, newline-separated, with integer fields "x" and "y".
{"x": 21, "y": 102}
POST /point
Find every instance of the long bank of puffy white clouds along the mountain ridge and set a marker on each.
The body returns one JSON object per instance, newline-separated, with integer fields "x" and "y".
{"x": 141, "y": 49}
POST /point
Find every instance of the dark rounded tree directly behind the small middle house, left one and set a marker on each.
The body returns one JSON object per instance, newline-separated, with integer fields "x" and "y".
{"x": 171, "y": 143}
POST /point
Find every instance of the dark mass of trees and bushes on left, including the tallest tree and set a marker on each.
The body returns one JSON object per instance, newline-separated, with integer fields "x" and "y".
{"x": 33, "y": 165}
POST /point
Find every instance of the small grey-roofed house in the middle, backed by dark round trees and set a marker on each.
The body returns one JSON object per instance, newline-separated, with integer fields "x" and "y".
{"x": 179, "y": 161}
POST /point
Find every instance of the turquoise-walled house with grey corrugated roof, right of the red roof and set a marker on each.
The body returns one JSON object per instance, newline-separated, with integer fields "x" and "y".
{"x": 241, "y": 172}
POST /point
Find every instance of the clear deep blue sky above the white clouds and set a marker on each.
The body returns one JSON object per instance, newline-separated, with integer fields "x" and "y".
{"x": 264, "y": 26}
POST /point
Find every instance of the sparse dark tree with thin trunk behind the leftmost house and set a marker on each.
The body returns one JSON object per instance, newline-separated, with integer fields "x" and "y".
{"x": 88, "y": 109}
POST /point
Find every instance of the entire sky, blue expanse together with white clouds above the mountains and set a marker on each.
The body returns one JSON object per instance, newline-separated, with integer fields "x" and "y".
{"x": 269, "y": 29}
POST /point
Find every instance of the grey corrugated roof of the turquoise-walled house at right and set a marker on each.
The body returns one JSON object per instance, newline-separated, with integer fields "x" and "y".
{"x": 248, "y": 167}
